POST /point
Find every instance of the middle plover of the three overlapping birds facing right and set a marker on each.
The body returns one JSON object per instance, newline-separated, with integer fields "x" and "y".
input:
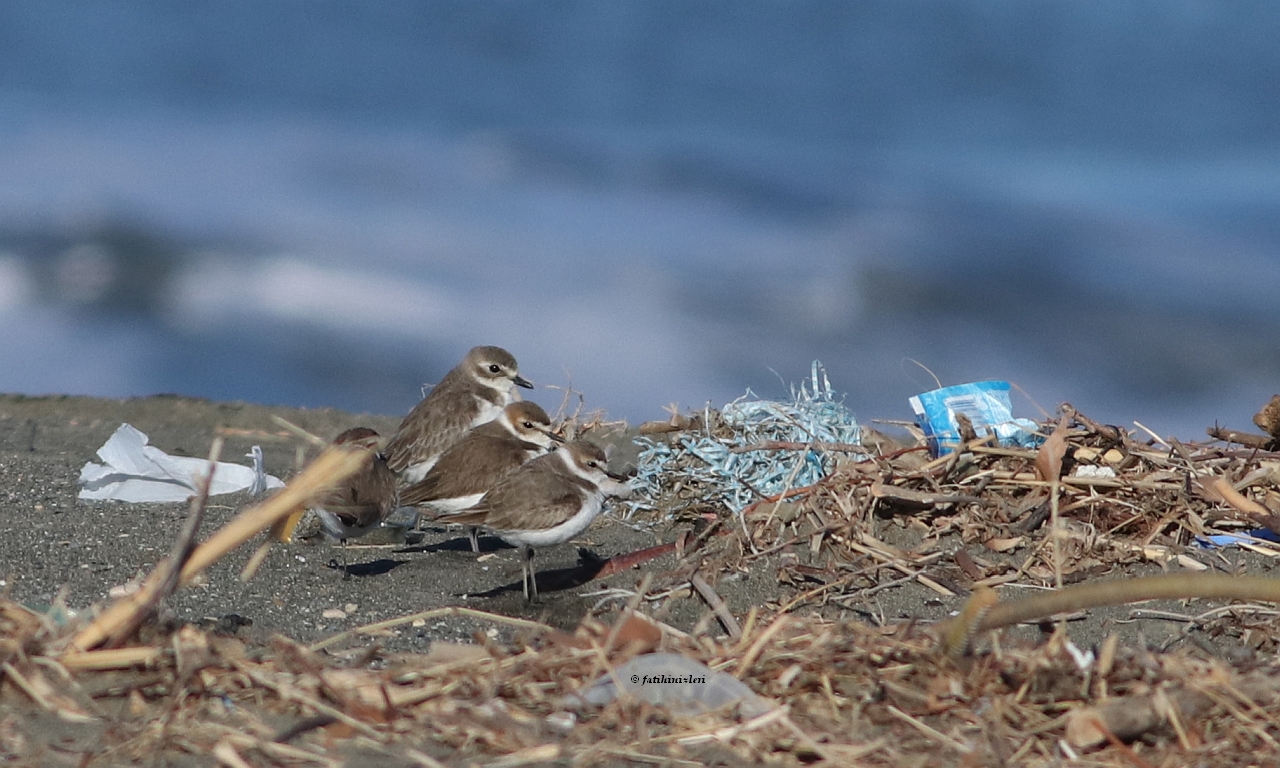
{"x": 483, "y": 458}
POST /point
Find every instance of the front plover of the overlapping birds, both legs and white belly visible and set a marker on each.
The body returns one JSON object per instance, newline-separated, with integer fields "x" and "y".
{"x": 547, "y": 501}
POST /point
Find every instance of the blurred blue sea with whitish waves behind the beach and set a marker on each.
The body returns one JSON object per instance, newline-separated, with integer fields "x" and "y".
{"x": 326, "y": 204}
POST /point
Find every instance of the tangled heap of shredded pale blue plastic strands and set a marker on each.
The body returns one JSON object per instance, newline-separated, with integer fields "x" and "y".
{"x": 813, "y": 415}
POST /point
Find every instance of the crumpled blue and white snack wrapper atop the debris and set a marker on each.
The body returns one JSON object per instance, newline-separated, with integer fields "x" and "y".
{"x": 989, "y": 409}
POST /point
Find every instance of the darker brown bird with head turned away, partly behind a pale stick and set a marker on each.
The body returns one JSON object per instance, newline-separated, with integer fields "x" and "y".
{"x": 367, "y": 499}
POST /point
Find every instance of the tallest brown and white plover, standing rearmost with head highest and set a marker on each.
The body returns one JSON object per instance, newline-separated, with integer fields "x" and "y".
{"x": 470, "y": 395}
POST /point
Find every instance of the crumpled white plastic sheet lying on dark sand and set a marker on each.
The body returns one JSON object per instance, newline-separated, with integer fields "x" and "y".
{"x": 134, "y": 472}
